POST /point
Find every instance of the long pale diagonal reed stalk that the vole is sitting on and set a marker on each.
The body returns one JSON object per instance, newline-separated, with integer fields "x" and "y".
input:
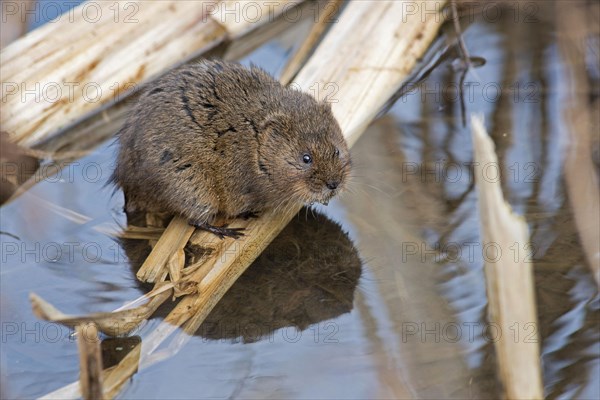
{"x": 357, "y": 67}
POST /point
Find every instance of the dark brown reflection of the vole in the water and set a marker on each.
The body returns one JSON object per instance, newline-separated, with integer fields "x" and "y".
{"x": 306, "y": 275}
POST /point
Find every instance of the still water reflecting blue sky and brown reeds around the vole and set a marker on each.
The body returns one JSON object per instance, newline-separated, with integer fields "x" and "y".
{"x": 416, "y": 324}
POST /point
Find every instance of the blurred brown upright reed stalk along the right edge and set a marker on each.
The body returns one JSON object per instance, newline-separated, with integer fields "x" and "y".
{"x": 581, "y": 177}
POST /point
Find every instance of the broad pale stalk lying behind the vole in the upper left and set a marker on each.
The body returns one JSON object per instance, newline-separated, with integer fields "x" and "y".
{"x": 62, "y": 71}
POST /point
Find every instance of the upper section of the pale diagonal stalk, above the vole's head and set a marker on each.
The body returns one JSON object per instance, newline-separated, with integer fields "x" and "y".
{"x": 355, "y": 76}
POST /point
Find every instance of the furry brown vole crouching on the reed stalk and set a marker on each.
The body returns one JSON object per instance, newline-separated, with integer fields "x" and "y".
{"x": 218, "y": 138}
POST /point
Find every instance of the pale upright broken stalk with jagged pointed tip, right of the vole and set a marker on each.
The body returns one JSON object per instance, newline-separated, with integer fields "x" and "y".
{"x": 509, "y": 279}
